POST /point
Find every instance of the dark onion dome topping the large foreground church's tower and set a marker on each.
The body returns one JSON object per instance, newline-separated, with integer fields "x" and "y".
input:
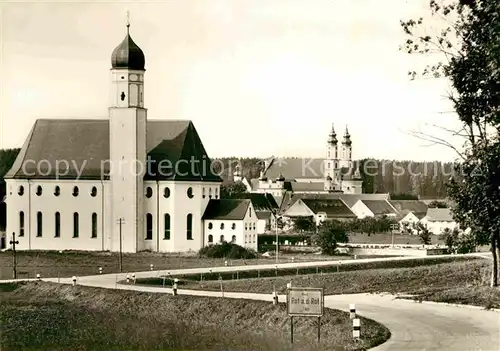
{"x": 128, "y": 55}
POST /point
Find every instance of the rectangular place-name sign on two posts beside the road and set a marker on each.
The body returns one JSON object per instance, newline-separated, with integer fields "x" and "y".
{"x": 305, "y": 302}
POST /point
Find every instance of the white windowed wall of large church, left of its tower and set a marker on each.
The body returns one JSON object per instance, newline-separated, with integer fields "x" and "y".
{"x": 48, "y": 204}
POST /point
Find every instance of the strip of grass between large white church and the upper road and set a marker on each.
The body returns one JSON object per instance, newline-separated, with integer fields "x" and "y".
{"x": 69, "y": 263}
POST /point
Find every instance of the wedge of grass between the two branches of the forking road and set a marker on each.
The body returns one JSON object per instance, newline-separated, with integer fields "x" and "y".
{"x": 455, "y": 281}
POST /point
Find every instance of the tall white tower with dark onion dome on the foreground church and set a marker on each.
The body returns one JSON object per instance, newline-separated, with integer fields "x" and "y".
{"x": 127, "y": 138}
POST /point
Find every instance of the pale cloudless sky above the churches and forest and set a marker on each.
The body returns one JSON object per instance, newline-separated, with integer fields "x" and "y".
{"x": 257, "y": 78}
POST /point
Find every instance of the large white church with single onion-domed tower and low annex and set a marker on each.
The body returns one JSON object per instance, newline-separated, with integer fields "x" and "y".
{"x": 122, "y": 183}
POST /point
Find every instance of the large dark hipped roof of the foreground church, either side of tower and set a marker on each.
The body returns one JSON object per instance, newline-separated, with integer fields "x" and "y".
{"x": 174, "y": 151}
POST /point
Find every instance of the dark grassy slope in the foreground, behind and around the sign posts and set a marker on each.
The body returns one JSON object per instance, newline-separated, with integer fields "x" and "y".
{"x": 46, "y": 316}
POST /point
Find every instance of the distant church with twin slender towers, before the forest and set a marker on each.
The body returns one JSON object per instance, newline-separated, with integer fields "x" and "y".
{"x": 336, "y": 173}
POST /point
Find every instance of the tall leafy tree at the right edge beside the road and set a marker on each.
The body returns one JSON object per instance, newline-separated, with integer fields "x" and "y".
{"x": 470, "y": 44}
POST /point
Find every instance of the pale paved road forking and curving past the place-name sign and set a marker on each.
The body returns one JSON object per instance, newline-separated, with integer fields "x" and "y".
{"x": 413, "y": 326}
